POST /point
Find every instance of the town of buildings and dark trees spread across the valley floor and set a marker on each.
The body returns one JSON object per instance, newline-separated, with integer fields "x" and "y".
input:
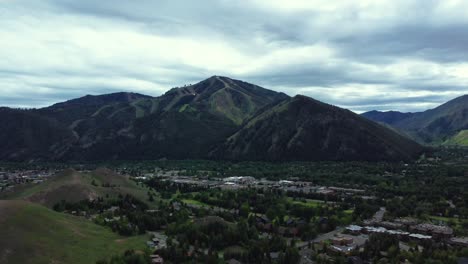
{"x": 192, "y": 212}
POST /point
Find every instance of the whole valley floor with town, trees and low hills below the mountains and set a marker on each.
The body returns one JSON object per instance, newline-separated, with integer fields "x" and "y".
{"x": 252, "y": 212}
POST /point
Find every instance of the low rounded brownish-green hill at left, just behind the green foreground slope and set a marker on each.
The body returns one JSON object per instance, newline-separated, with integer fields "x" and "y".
{"x": 73, "y": 186}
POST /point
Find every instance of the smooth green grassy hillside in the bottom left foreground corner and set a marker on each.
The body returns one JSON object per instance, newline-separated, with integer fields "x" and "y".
{"x": 31, "y": 233}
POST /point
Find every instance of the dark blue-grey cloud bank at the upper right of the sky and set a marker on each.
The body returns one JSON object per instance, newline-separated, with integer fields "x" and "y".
{"x": 444, "y": 44}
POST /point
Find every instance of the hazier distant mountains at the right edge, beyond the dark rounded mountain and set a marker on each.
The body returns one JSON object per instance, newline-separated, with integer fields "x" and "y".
{"x": 433, "y": 126}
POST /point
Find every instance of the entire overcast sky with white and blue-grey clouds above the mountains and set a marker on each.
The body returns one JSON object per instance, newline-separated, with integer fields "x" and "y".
{"x": 407, "y": 55}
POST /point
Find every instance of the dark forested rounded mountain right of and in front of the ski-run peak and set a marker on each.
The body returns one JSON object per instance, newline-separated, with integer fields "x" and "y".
{"x": 301, "y": 128}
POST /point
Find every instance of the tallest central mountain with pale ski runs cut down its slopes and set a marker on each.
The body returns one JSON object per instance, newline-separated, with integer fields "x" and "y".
{"x": 185, "y": 122}
